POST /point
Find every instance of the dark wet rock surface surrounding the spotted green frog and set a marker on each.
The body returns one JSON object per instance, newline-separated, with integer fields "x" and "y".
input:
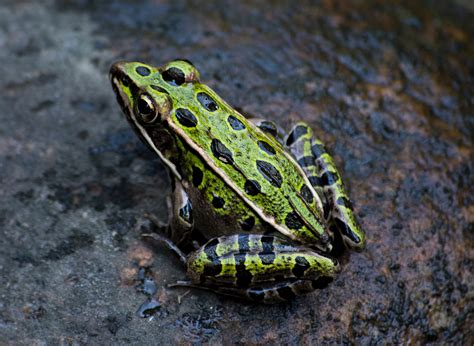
{"x": 388, "y": 85}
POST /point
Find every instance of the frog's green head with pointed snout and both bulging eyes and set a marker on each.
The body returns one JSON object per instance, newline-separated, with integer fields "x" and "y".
{"x": 143, "y": 91}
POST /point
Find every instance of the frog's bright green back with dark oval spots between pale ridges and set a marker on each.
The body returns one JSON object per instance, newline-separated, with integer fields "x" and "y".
{"x": 253, "y": 165}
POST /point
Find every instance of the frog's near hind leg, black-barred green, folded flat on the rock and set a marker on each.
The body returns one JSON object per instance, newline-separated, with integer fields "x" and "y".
{"x": 259, "y": 267}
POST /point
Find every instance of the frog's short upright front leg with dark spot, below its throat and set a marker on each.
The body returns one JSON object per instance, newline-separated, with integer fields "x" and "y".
{"x": 181, "y": 213}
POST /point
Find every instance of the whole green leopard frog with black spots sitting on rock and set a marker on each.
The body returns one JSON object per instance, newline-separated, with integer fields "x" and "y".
{"x": 263, "y": 209}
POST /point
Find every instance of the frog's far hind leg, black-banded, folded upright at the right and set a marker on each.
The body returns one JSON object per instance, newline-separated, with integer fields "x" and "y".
{"x": 321, "y": 170}
